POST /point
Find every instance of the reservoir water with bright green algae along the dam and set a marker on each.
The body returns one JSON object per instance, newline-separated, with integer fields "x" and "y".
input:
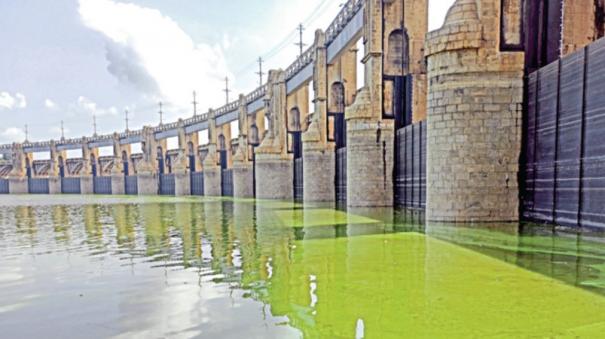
{"x": 165, "y": 267}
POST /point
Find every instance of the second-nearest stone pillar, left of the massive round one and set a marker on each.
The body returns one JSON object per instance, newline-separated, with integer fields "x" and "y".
{"x": 370, "y": 138}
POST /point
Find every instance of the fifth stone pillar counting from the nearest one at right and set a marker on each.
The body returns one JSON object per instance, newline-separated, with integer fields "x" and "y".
{"x": 243, "y": 174}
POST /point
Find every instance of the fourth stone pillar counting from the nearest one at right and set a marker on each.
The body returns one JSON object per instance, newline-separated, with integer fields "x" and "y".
{"x": 274, "y": 166}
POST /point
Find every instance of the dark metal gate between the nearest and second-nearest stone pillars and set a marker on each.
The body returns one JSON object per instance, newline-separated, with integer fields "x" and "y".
{"x": 410, "y": 165}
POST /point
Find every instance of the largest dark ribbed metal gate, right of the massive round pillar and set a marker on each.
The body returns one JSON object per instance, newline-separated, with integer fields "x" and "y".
{"x": 564, "y": 176}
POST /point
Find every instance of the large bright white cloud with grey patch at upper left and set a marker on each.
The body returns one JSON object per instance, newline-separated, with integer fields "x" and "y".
{"x": 150, "y": 51}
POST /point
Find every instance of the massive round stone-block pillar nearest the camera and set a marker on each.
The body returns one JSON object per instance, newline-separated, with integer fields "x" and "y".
{"x": 474, "y": 118}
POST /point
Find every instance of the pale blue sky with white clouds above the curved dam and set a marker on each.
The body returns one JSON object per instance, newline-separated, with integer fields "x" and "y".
{"x": 63, "y": 60}
